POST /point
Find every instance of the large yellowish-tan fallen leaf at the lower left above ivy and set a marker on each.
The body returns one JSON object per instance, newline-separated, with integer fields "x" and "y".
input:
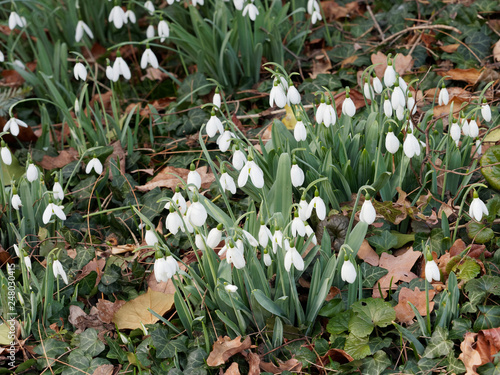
{"x": 135, "y": 312}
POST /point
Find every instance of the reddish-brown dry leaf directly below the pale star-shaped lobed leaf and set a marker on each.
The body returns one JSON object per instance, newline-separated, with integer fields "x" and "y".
{"x": 404, "y": 312}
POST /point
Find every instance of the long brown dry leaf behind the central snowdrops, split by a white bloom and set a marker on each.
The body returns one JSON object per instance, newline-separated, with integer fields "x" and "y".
{"x": 165, "y": 178}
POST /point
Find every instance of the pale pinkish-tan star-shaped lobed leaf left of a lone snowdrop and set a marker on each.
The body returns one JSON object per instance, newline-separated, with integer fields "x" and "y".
{"x": 399, "y": 270}
